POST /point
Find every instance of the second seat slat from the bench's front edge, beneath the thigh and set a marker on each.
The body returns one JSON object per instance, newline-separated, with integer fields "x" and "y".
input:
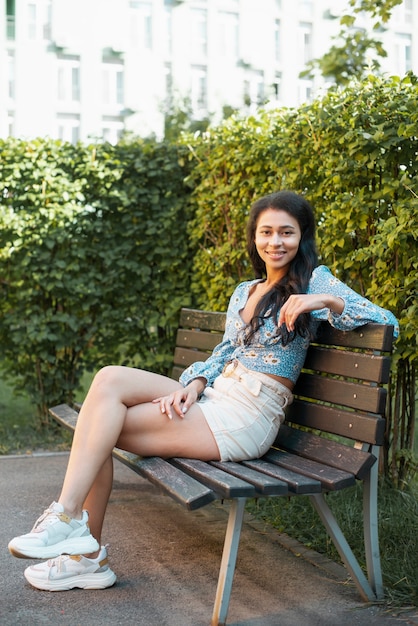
{"x": 225, "y": 485}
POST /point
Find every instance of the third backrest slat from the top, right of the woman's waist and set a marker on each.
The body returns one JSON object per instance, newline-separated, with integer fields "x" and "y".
{"x": 331, "y": 390}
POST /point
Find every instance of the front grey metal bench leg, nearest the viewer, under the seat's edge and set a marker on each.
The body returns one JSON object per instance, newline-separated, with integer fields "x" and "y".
{"x": 229, "y": 559}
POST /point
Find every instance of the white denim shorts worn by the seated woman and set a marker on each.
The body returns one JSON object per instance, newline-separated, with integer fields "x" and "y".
{"x": 244, "y": 410}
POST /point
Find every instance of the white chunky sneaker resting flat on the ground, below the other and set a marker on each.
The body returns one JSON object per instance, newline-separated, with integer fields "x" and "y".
{"x": 67, "y": 572}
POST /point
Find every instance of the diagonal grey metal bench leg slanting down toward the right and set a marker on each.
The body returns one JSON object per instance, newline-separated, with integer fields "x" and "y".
{"x": 343, "y": 547}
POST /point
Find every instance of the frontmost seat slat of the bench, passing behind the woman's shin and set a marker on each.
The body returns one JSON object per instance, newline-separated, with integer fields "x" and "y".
{"x": 183, "y": 488}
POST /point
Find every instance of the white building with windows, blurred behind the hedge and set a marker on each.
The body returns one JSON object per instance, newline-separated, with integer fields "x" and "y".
{"x": 90, "y": 69}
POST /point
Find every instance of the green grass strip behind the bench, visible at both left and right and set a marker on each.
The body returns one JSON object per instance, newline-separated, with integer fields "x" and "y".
{"x": 398, "y": 510}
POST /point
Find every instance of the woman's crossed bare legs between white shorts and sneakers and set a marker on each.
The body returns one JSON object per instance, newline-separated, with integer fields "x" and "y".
{"x": 118, "y": 411}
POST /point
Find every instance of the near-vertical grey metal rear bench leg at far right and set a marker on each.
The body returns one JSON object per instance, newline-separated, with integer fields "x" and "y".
{"x": 371, "y": 531}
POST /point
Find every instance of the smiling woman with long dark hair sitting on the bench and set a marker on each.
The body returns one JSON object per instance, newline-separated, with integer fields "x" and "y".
{"x": 229, "y": 407}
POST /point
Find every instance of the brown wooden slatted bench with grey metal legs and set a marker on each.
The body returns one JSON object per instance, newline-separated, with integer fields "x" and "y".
{"x": 330, "y": 440}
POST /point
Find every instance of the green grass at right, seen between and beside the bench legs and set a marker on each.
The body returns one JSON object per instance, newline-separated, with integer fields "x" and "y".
{"x": 398, "y": 533}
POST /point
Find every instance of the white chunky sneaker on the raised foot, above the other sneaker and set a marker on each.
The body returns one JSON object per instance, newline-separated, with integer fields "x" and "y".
{"x": 55, "y": 533}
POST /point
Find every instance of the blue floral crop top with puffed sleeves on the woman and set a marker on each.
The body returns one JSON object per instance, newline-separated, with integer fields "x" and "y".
{"x": 266, "y": 353}
